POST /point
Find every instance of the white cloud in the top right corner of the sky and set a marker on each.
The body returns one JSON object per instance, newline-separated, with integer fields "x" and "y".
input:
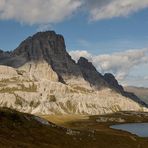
{"x": 105, "y": 9}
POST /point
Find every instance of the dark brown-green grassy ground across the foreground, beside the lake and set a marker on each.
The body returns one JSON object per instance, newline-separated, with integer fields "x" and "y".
{"x": 21, "y": 130}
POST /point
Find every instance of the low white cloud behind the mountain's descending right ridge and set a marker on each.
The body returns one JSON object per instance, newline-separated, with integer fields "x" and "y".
{"x": 120, "y": 64}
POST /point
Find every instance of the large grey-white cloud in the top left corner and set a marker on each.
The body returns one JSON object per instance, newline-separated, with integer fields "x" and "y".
{"x": 37, "y": 11}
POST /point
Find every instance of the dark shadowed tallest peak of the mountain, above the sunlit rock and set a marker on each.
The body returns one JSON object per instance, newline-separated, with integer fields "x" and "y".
{"x": 46, "y": 46}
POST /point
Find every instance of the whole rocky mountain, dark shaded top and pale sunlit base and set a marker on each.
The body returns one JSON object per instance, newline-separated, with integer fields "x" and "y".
{"x": 39, "y": 76}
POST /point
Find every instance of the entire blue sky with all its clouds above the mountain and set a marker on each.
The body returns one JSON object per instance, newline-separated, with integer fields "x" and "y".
{"x": 92, "y": 29}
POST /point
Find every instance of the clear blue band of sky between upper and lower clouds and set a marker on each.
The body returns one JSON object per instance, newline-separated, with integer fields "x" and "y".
{"x": 105, "y": 36}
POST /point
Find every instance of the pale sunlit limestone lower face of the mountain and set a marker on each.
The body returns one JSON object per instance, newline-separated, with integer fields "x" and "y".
{"x": 48, "y": 96}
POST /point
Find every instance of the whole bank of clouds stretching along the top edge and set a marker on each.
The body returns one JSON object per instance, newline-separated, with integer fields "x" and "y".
{"x": 54, "y": 11}
